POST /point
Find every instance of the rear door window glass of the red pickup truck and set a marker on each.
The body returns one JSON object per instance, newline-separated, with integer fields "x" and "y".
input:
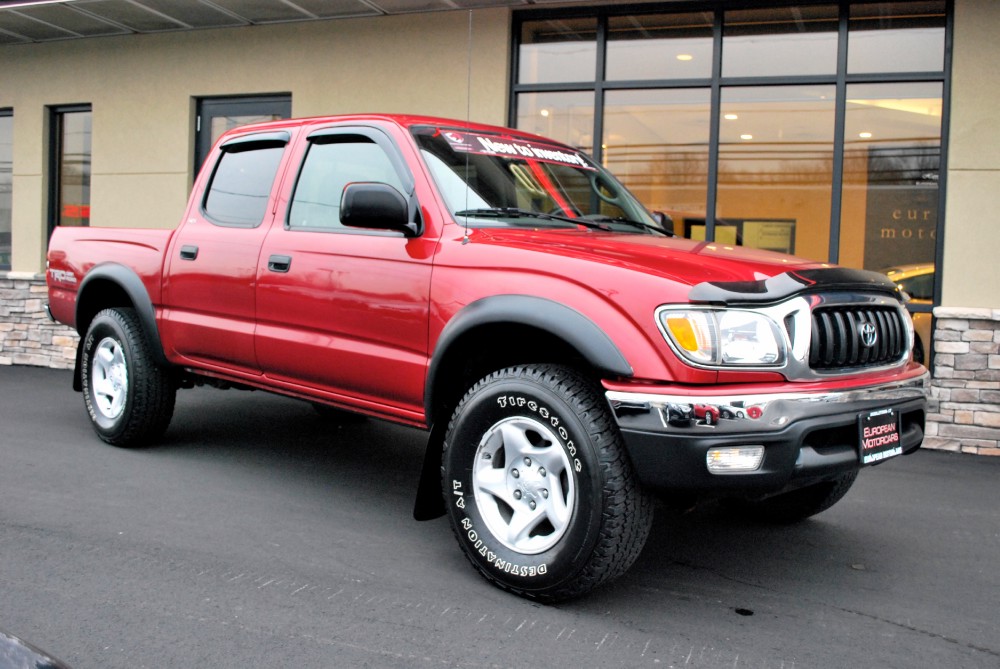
{"x": 242, "y": 183}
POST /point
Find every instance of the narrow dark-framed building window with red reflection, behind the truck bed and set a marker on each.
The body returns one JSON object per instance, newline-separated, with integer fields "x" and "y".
{"x": 70, "y": 165}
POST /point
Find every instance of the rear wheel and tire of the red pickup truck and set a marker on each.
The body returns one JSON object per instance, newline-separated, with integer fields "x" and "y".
{"x": 129, "y": 397}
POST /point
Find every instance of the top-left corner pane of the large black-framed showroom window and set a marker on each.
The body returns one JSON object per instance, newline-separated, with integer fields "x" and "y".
{"x": 557, "y": 50}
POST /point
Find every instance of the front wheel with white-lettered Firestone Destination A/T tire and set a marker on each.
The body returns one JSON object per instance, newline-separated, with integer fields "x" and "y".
{"x": 538, "y": 486}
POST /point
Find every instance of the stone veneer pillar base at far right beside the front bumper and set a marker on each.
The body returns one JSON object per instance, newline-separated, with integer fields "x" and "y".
{"x": 964, "y": 410}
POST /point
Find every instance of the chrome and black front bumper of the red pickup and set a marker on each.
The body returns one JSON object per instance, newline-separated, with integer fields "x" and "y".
{"x": 807, "y": 436}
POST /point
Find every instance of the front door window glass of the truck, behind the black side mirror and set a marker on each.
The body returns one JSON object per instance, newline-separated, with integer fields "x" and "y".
{"x": 329, "y": 166}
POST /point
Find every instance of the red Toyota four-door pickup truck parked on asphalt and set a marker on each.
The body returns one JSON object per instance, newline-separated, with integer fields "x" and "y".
{"x": 569, "y": 356}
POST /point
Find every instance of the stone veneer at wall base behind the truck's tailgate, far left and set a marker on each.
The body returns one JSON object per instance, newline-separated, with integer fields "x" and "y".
{"x": 27, "y": 336}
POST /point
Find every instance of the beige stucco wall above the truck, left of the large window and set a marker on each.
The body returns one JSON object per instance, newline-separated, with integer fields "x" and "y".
{"x": 142, "y": 90}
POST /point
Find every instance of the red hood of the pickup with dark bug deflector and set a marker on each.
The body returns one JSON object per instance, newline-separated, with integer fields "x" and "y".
{"x": 715, "y": 272}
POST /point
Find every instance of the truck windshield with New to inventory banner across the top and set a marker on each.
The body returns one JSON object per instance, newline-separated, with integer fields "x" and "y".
{"x": 493, "y": 180}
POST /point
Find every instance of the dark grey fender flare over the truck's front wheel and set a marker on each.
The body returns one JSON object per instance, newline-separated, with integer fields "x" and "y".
{"x": 568, "y": 324}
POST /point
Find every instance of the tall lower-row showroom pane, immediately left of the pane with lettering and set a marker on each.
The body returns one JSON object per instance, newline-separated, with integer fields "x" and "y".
{"x": 776, "y": 168}
